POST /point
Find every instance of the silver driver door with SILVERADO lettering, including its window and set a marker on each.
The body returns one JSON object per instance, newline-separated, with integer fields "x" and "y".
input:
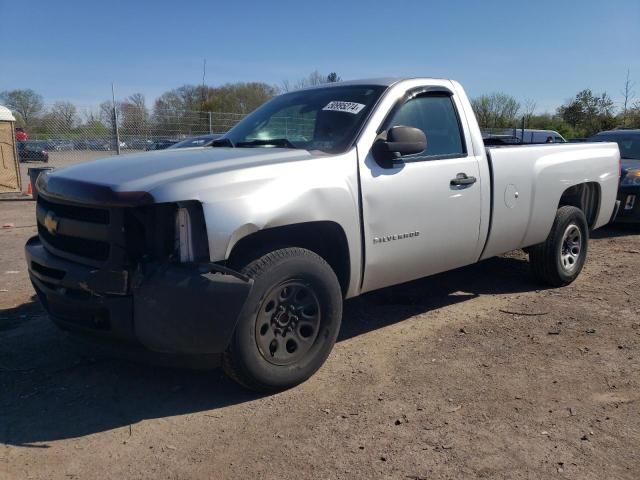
{"x": 418, "y": 219}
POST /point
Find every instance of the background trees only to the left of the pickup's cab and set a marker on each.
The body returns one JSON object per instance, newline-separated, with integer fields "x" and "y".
{"x": 183, "y": 110}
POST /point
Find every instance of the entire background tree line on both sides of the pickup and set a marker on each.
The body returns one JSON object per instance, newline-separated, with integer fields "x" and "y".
{"x": 187, "y": 106}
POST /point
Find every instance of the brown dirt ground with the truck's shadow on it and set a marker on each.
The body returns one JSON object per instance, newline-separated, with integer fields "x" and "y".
{"x": 477, "y": 373}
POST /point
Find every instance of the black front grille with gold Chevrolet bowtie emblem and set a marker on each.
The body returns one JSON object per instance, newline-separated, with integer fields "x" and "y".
{"x": 75, "y": 232}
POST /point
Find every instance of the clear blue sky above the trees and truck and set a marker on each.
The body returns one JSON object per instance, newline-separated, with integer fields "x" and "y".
{"x": 544, "y": 50}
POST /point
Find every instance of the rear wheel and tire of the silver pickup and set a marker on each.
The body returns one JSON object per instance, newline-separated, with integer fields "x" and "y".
{"x": 559, "y": 259}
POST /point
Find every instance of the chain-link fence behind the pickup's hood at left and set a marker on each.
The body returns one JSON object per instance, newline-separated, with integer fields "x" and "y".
{"x": 57, "y": 140}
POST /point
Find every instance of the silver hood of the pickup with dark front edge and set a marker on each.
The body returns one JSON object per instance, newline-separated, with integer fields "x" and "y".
{"x": 131, "y": 179}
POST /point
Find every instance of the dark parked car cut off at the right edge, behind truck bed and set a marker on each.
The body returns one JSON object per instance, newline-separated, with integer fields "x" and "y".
{"x": 629, "y": 193}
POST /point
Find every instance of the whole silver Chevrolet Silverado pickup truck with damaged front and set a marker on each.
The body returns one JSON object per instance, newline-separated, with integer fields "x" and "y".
{"x": 247, "y": 248}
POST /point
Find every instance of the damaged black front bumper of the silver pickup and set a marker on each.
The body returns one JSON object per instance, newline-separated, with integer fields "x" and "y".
{"x": 167, "y": 307}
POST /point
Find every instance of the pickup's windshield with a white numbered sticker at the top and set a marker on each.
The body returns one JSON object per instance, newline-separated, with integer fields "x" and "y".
{"x": 325, "y": 119}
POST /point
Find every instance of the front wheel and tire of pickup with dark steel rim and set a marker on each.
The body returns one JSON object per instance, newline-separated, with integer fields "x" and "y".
{"x": 289, "y": 323}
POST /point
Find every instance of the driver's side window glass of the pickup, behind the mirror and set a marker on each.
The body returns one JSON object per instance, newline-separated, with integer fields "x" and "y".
{"x": 436, "y": 117}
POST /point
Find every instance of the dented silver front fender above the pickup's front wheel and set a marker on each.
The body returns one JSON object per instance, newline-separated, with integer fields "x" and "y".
{"x": 320, "y": 189}
